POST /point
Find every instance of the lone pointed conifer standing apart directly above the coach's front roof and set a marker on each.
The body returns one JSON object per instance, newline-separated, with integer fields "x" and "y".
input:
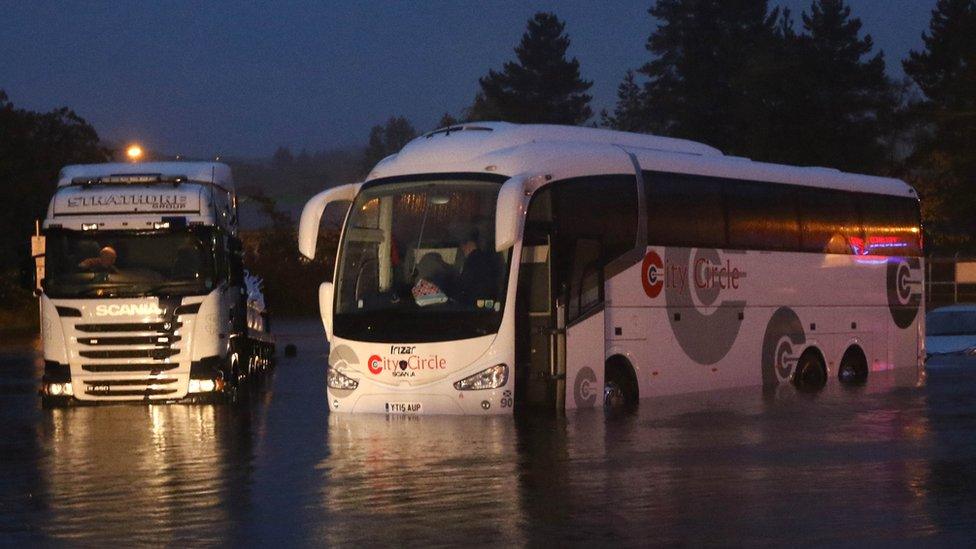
{"x": 543, "y": 86}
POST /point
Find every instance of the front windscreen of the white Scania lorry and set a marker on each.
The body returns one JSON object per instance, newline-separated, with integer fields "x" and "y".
{"x": 129, "y": 263}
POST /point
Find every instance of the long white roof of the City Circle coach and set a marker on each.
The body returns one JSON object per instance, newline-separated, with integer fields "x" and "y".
{"x": 570, "y": 151}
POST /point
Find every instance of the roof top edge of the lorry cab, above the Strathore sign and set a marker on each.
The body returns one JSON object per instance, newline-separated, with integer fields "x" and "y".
{"x": 208, "y": 172}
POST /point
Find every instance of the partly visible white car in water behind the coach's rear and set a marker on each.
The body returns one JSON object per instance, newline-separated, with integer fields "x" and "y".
{"x": 950, "y": 332}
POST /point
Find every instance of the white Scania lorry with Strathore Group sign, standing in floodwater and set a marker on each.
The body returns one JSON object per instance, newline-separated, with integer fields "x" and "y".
{"x": 143, "y": 293}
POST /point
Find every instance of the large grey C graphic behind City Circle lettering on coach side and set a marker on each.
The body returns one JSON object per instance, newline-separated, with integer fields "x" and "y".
{"x": 706, "y": 337}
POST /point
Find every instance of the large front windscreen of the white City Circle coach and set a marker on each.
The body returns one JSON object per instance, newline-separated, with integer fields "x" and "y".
{"x": 418, "y": 263}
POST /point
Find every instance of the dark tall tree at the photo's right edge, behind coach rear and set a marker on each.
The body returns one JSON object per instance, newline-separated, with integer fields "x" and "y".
{"x": 945, "y": 156}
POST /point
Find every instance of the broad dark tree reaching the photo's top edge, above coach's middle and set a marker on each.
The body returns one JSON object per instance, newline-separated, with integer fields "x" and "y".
{"x": 709, "y": 64}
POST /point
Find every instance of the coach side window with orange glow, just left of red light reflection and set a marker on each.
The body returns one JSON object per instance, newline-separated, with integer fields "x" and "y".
{"x": 829, "y": 222}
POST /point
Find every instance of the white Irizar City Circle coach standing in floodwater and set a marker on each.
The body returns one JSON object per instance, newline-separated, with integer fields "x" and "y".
{"x": 491, "y": 265}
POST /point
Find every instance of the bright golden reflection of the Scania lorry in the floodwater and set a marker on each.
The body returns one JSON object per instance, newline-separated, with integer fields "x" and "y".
{"x": 149, "y": 474}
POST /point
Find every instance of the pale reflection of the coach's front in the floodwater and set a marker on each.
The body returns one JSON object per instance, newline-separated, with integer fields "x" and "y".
{"x": 417, "y": 479}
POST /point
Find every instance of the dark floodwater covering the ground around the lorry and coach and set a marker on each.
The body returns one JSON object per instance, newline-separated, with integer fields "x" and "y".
{"x": 877, "y": 465}
